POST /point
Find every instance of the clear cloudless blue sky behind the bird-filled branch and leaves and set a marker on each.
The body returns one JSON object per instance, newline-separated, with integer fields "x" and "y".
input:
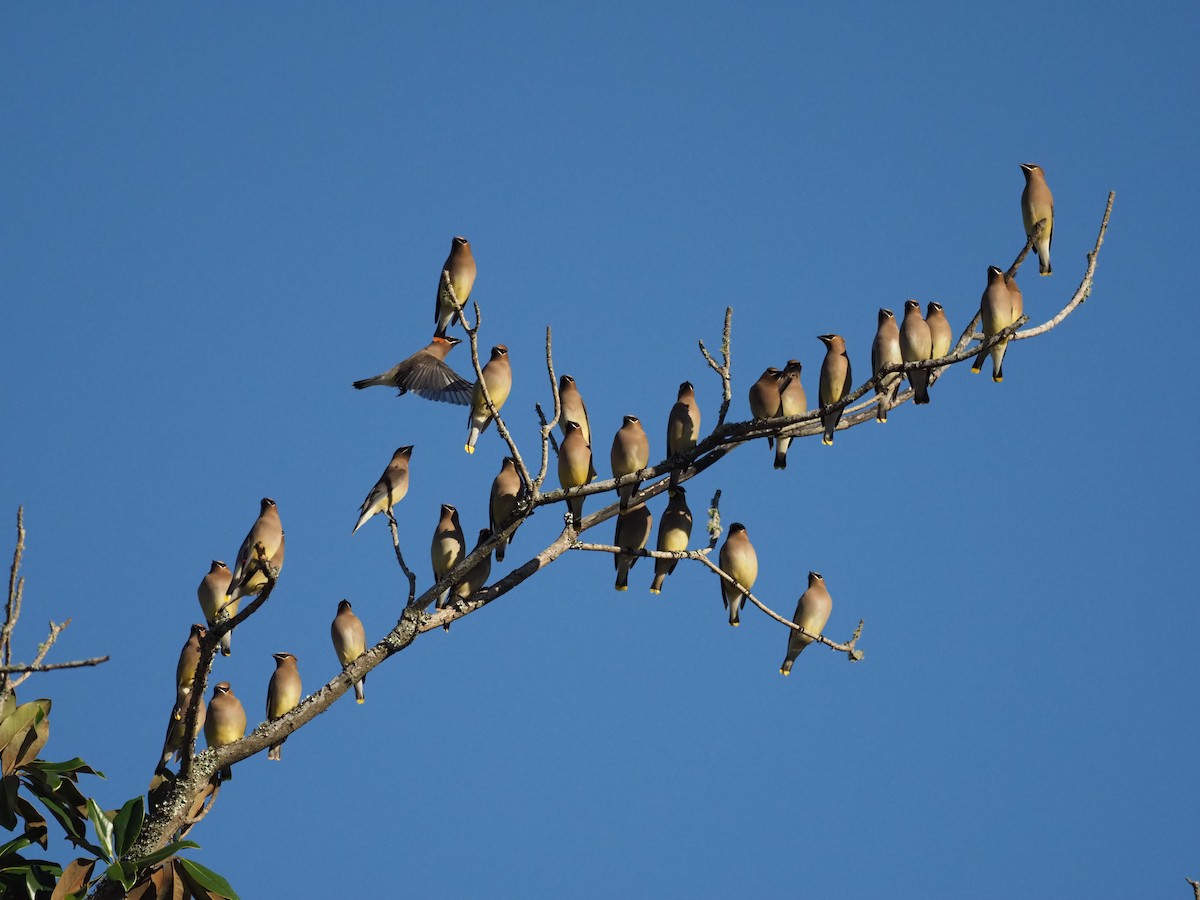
{"x": 217, "y": 219}
